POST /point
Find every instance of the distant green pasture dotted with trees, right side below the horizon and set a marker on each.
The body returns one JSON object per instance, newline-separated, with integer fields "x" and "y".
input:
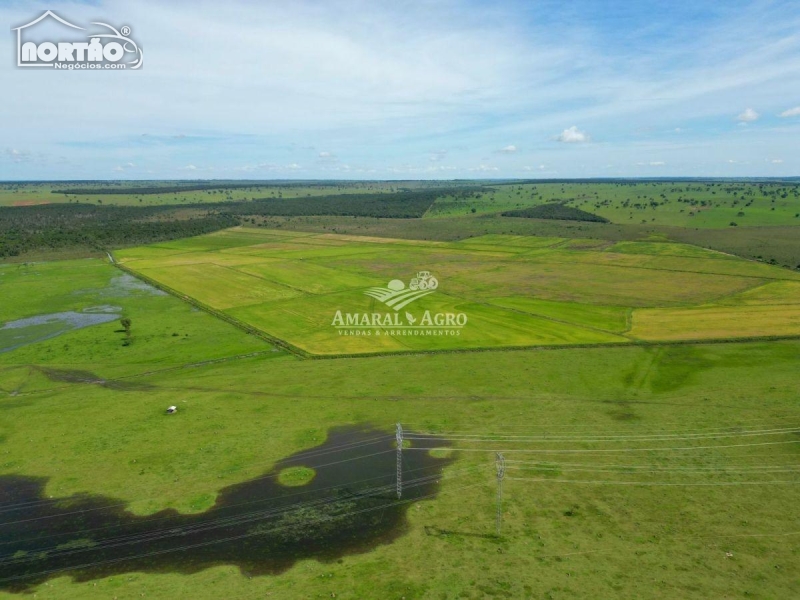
{"x": 678, "y": 203}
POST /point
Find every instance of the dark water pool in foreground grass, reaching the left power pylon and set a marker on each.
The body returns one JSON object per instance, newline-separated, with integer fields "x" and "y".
{"x": 259, "y": 525}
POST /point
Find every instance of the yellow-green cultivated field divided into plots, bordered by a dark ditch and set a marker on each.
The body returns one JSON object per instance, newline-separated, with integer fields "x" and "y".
{"x": 515, "y": 291}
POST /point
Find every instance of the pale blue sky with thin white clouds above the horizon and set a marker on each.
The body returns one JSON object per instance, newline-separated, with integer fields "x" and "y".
{"x": 357, "y": 89}
